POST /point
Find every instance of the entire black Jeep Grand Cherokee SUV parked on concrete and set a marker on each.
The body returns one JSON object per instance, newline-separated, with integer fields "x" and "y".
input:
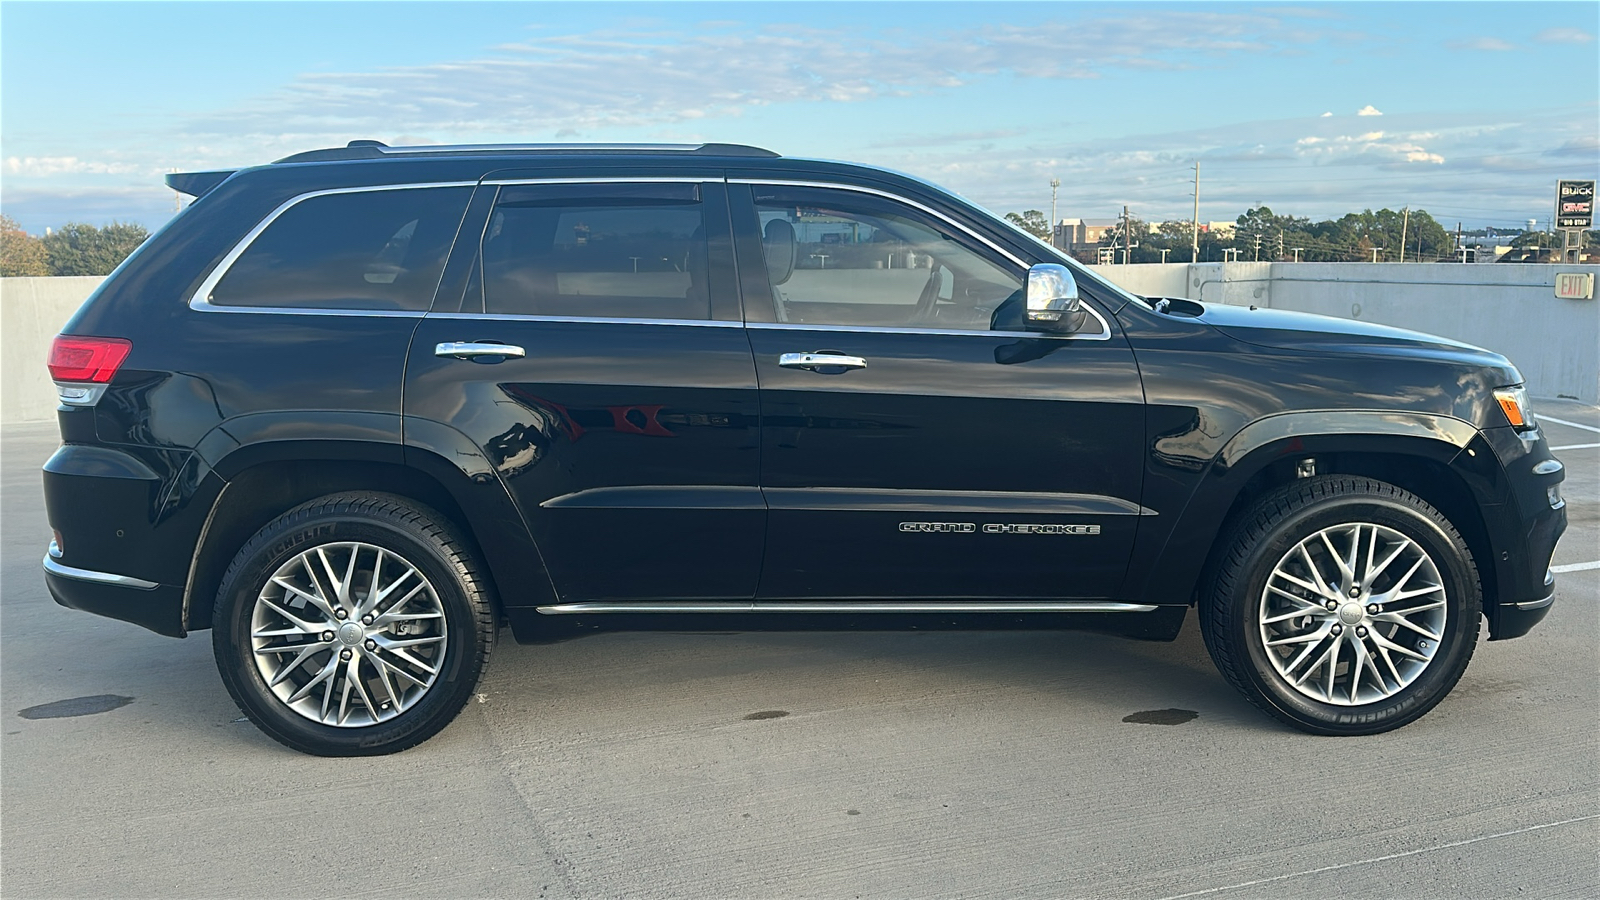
{"x": 358, "y": 409}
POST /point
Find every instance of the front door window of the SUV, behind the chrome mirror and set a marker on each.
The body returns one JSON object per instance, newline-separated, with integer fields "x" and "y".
{"x": 846, "y": 259}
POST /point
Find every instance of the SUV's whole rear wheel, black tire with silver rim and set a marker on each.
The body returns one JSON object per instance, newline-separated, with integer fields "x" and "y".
{"x": 364, "y": 584}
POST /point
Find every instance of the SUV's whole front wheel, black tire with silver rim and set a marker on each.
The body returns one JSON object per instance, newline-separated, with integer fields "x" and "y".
{"x": 1268, "y": 622}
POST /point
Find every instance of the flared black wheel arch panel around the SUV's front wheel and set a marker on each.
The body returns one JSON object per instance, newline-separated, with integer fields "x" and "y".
{"x": 1172, "y": 550}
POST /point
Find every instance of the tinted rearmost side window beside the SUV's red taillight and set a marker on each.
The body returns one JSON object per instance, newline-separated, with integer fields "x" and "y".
{"x": 359, "y": 251}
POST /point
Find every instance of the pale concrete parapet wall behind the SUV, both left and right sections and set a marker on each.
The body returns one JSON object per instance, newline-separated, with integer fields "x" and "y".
{"x": 1506, "y": 308}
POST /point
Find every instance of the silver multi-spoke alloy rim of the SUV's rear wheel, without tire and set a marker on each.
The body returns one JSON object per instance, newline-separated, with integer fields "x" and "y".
{"x": 348, "y": 635}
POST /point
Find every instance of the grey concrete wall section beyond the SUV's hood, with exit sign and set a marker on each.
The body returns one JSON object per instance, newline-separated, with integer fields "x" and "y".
{"x": 1508, "y": 308}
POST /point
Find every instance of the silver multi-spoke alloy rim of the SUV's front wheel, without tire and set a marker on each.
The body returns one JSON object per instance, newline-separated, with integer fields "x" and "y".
{"x": 1353, "y": 614}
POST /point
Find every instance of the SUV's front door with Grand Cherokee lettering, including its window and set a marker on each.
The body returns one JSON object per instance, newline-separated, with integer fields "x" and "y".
{"x": 916, "y": 443}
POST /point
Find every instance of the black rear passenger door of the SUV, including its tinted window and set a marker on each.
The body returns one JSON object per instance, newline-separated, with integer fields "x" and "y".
{"x": 593, "y": 355}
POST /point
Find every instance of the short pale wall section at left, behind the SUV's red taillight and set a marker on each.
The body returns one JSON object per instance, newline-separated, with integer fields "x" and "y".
{"x": 33, "y": 311}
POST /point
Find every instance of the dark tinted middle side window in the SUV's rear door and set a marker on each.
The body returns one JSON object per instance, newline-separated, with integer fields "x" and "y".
{"x": 599, "y": 251}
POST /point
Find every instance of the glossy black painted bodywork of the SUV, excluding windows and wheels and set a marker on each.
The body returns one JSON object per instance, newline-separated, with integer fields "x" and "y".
{"x": 628, "y": 460}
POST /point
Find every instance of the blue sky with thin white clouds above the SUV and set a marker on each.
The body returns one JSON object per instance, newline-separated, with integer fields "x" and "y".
{"x": 1471, "y": 111}
